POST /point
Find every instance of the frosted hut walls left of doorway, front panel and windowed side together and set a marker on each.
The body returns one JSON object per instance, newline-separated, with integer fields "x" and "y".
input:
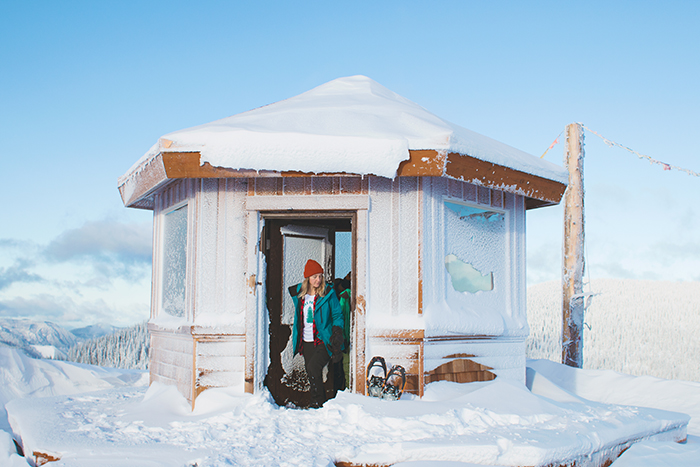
{"x": 208, "y": 349}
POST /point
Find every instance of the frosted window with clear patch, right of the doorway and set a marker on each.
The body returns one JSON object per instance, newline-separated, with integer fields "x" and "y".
{"x": 475, "y": 250}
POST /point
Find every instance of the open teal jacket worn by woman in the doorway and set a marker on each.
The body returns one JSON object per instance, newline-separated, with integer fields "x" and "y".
{"x": 326, "y": 315}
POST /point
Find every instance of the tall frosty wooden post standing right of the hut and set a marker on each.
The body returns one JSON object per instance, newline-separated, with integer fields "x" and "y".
{"x": 573, "y": 264}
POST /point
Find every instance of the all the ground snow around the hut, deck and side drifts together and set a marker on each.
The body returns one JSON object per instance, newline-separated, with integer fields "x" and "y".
{"x": 121, "y": 422}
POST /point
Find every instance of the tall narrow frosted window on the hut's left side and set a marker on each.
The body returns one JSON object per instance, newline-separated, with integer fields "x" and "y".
{"x": 174, "y": 261}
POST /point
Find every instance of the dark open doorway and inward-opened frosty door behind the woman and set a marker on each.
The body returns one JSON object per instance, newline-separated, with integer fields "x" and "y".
{"x": 290, "y": 243}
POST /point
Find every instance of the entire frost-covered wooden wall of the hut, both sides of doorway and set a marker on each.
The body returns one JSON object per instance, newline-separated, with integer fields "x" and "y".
{"x": 400, "y": 249}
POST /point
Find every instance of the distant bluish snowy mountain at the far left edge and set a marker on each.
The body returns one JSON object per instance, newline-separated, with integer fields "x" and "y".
{"x": 35, "y": 337}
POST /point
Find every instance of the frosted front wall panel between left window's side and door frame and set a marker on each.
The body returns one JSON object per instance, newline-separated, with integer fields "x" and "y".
{"x": 219, "y": 316}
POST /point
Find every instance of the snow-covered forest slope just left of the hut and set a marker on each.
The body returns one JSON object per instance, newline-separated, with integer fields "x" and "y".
{"x": 125, "y": 348}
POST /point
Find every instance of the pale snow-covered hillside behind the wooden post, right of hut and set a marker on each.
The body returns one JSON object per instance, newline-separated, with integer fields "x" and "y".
{"x": 631, "y": 326}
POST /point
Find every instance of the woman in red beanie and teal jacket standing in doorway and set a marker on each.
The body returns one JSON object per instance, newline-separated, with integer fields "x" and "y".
{"x": 318, "y": 321}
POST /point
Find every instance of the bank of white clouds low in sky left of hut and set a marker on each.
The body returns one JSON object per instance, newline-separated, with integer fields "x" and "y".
{"x": 99, "y": 272}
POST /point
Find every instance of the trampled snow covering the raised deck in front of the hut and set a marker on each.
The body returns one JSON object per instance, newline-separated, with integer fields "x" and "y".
{"x": 488, "y": 423}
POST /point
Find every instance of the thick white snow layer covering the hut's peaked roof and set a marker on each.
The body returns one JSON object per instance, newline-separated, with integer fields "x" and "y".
{"x": 349, "y": 125}
